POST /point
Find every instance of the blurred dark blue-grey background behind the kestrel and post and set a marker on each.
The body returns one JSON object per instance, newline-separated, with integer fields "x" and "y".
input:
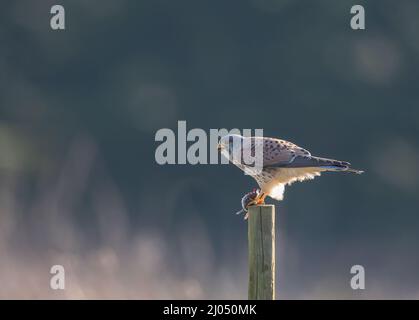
{"x": 79, "y": 185}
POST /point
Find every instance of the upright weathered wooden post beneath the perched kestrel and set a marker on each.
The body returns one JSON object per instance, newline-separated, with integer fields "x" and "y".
{"x": 261, "y": 235}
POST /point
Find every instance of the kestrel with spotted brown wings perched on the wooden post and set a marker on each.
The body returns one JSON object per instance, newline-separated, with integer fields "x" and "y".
{"x": 282, "y": 163}
